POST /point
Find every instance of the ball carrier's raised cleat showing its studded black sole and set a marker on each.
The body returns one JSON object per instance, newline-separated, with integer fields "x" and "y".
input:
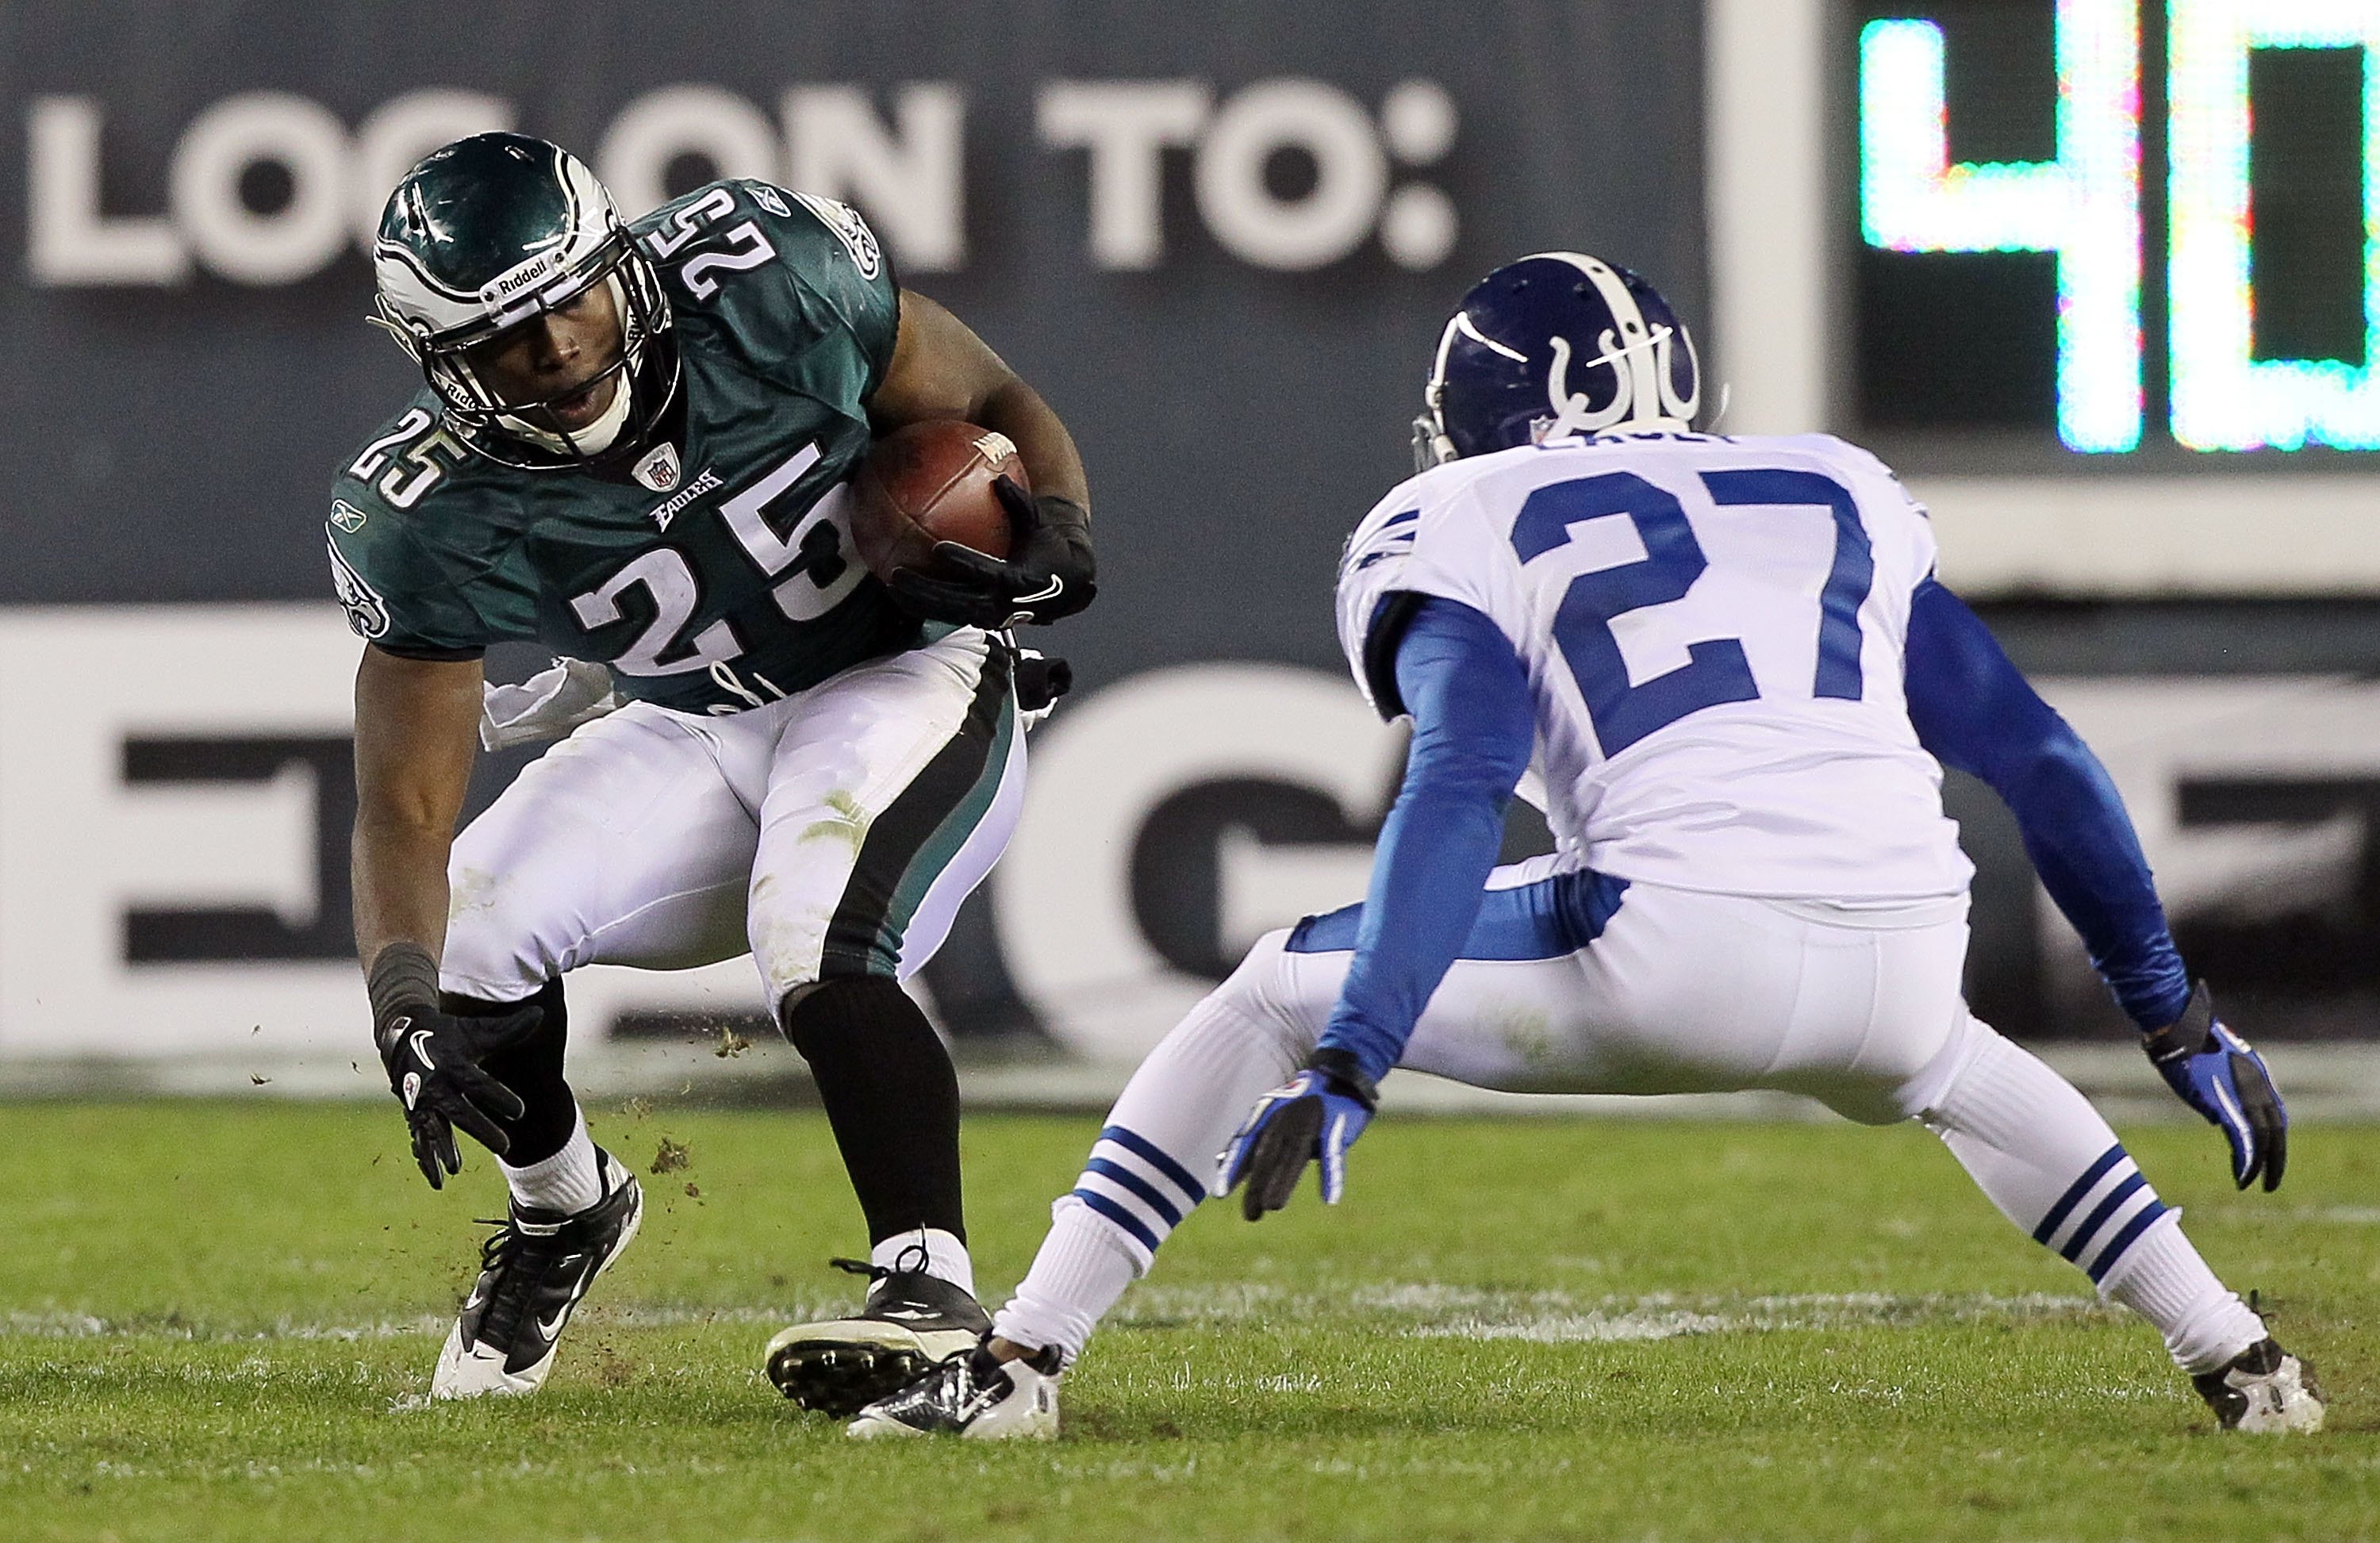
{"x": 910, "y": 1325}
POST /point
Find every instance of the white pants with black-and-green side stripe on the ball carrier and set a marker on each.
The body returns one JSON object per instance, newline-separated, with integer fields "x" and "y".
{"x": 832, "y": 832}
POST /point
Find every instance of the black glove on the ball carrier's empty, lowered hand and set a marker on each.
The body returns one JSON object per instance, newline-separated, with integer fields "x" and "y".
{"x": 434, "y": 1061}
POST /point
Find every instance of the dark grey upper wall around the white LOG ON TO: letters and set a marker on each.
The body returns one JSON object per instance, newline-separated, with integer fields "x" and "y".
{"x": 175, "y": 444}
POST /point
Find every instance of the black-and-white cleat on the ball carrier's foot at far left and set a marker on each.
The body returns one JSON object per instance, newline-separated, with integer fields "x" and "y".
{"x": 532, "y": 1275}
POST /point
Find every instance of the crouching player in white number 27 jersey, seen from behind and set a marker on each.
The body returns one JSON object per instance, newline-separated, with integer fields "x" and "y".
{"x": 1736, "y": 680}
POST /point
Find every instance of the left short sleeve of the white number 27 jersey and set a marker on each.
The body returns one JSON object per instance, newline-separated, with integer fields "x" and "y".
{"x": 1420, "y": 542}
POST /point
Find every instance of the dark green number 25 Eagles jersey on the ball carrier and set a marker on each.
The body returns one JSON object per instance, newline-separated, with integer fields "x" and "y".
{"x": 722, "y": 575}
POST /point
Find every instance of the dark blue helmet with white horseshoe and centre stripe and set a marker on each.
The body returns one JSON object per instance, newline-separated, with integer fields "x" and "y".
{"x": 1551, "y": 346}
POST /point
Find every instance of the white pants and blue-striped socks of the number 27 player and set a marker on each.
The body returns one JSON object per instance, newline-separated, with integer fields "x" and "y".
{"x": 1584, "y": 985}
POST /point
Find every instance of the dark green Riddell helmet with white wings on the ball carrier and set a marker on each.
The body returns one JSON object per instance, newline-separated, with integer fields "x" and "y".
{"x": 494, "y": 232}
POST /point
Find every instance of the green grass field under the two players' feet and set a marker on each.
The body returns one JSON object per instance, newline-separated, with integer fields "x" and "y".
{"x": 218, "y": 1323}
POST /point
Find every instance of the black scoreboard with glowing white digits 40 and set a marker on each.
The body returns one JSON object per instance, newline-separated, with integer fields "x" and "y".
{"x": 2117, "y": 230}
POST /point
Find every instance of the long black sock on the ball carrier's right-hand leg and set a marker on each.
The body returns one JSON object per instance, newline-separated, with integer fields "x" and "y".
{"x": 891, "y": 1099}
